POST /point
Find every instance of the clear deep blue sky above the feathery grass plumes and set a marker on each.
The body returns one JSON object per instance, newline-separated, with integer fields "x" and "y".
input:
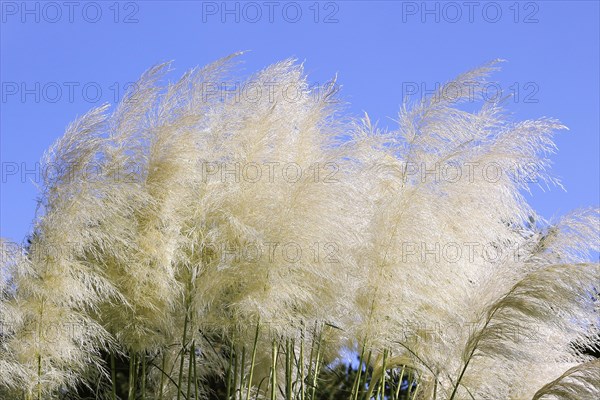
{"x": 59, "y": 59}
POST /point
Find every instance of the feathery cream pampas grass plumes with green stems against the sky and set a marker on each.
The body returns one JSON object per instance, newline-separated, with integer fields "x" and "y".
{"x": 210, "y": 236}
